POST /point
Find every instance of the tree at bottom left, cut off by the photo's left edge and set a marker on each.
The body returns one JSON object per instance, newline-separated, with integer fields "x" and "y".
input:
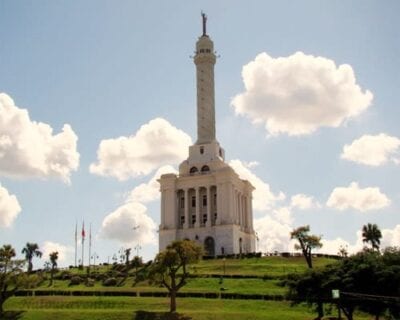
{"x": 10, "y": 274}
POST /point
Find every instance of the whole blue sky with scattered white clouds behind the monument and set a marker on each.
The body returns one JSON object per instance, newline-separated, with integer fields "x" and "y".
{"x": 98, "y": 99}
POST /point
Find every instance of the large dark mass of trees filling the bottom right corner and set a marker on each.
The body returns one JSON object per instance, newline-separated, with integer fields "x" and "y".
{"x": 368, "y": 281}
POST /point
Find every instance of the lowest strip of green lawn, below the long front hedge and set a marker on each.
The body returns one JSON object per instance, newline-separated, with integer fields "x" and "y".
{"x": 121, "y": 308}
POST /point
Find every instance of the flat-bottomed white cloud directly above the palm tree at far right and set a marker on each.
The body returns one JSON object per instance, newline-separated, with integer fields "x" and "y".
{"x": 354, "y": 197}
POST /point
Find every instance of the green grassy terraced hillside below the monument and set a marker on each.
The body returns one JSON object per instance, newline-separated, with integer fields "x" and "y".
{"x": 253, "y": 276}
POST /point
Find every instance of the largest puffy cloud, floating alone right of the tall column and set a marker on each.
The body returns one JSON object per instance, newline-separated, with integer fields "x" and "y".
{"x": 298, "y": 94}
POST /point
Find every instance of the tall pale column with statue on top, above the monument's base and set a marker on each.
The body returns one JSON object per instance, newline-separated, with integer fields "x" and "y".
{"x": 205, "y": 60}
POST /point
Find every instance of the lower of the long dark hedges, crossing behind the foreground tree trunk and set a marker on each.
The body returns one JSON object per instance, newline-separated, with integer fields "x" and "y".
{"x": 208, "y": 295}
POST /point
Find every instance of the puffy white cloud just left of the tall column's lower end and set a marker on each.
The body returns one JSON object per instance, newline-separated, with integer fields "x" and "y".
{"x": 155, "y": 144}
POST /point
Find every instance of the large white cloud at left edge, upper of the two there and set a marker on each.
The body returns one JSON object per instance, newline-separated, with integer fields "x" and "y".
{"x": 29, "y": 148}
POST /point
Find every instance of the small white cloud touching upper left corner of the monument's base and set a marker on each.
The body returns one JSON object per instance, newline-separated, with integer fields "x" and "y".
{"x": 150, "y": 191}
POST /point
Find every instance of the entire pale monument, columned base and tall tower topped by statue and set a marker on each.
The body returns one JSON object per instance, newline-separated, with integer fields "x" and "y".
{"x": 207, "y": 201}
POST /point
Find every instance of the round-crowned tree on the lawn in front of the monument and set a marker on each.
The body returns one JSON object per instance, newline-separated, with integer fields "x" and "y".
{"x": 169, "y": 267}
